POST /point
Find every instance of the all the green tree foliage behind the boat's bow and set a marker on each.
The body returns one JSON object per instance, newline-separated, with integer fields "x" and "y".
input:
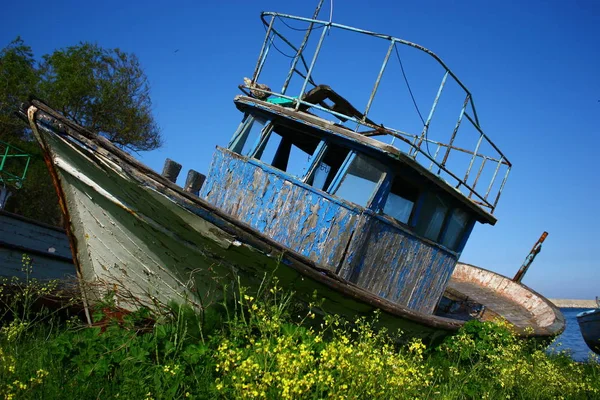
{"x": 104, "y": 90}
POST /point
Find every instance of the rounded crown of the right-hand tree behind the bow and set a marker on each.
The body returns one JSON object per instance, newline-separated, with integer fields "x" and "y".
{"x": 104, "y": 90}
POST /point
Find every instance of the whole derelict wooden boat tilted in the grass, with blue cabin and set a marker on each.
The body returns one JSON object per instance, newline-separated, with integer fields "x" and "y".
{"x": 323, "y": 206}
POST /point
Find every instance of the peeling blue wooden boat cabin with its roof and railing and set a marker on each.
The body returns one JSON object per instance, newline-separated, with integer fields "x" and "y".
{"x": 361, "y": 208}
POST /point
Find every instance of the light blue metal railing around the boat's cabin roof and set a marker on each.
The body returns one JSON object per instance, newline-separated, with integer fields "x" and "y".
{"x": 413, "y": 143}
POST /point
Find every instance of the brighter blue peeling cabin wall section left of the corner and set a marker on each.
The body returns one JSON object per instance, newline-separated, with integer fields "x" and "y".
{"x": 290, "y": 212}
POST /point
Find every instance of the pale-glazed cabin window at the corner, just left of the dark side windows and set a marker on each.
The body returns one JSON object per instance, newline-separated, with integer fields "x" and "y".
{"x": 360, "y": 180}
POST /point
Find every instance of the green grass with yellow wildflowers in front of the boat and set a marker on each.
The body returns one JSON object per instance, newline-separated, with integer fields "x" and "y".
{"x": 262, "y": 346}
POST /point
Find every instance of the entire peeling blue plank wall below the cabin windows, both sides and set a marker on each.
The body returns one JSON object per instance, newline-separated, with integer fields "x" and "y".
{"x": 364, "y": 247}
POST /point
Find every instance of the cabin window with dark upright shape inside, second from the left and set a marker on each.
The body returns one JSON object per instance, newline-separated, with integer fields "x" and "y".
{"x": 287, "y": 151}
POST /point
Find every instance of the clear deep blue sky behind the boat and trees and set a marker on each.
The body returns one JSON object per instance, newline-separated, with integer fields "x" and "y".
{"x": 533, "y": 67}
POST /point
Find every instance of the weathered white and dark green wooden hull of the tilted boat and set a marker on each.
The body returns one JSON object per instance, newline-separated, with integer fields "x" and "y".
{"x": 144, "y": 241}
